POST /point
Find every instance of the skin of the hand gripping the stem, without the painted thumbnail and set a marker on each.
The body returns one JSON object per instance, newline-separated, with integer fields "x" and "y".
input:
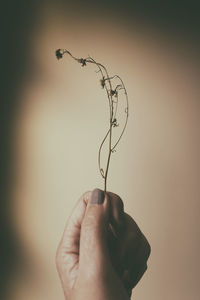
{"x": 102, "y": 254}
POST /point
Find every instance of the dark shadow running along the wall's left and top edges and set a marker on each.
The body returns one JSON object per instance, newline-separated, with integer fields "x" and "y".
{"x": 19, "y": 20}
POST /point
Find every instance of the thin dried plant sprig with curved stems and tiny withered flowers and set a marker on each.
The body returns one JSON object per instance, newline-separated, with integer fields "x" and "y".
{"x": 113, "y": 93}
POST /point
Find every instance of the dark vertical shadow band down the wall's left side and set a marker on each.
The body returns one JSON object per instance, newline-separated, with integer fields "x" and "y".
{"x": 18, "y": 17}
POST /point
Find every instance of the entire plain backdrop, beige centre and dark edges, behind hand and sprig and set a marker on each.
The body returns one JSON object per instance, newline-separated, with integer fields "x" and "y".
{"x": 55, "y": 115}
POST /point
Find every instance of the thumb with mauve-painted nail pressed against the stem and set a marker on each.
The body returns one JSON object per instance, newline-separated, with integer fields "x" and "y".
{"x": 94, "y": 230}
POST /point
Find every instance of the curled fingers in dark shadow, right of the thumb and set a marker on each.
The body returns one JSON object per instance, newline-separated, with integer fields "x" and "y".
{"x": 135, "y": 250}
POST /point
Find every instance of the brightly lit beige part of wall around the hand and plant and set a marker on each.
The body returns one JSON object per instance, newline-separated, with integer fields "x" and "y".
{"x": 155, "y": 169}
